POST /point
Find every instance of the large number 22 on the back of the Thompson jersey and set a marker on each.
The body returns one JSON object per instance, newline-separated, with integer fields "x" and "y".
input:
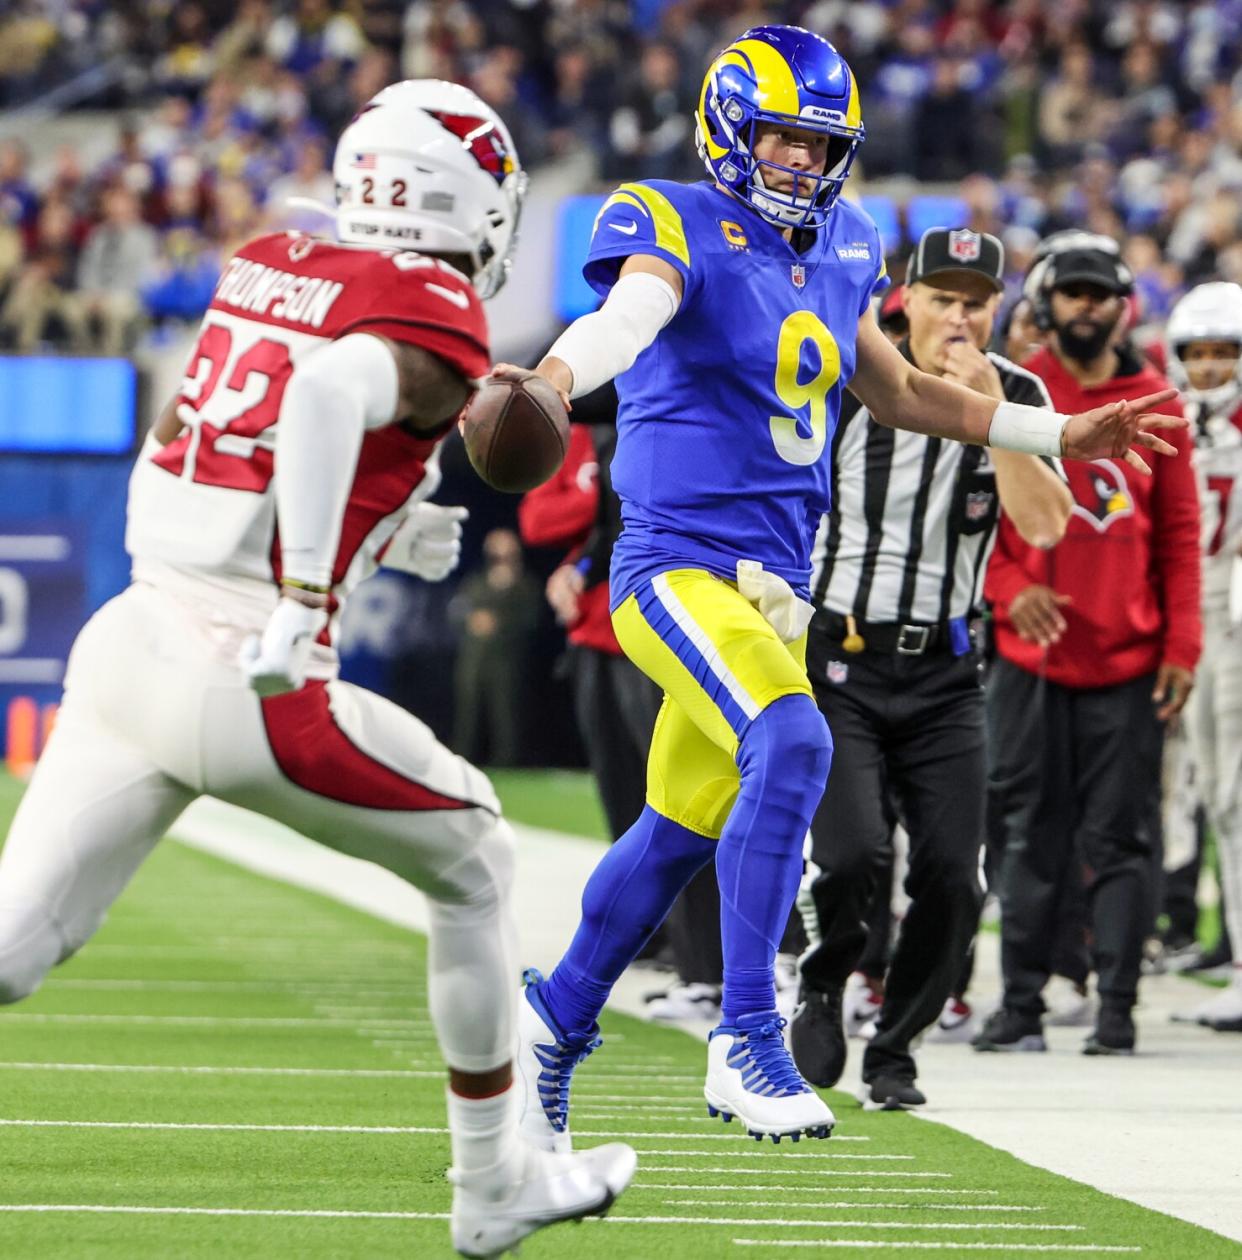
{"x": 226, "y": 414}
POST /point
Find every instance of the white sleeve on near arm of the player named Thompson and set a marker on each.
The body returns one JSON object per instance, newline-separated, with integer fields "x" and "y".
{"x": 334, "y": 396}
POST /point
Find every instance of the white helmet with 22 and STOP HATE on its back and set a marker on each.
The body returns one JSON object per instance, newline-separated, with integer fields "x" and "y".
{"x": 428, "y": 166}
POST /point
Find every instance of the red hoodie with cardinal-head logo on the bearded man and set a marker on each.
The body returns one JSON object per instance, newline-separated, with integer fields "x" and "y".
{"x": 1131, "y": 558}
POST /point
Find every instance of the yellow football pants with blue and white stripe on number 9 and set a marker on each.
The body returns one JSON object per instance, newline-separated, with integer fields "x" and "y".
{"x": 720, "y": 665}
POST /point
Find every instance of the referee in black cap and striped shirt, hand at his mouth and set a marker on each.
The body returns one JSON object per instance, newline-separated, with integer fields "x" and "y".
{"x": 900, "y": 568}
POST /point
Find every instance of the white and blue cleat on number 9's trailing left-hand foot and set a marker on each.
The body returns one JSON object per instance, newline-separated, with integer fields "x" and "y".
{"x": 547, "y": 1057}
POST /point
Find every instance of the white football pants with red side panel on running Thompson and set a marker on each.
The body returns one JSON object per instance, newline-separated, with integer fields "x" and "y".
{"x": 157, "y": 714}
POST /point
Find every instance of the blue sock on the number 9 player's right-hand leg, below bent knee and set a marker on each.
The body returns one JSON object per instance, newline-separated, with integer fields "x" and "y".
{"x": 784, "y": 758}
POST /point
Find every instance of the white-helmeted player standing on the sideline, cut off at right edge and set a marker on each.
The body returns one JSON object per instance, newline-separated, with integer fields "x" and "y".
{"x": 1205, "y": 355}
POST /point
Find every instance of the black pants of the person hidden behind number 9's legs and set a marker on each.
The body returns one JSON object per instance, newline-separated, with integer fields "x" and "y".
{"x": 617, "y": 705}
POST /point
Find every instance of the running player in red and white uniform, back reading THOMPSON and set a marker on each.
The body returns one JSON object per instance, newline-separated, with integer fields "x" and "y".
{"x": 294, "y": 459}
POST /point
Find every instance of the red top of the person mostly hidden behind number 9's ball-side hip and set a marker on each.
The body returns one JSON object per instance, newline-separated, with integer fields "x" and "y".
{"x": 561, "y": 513}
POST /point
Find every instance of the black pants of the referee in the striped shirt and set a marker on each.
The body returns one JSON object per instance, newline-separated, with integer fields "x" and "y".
{"x": 913, "y": 726}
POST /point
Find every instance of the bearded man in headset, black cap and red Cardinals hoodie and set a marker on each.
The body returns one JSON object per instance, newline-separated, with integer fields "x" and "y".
{"x": 1097, "y": 644}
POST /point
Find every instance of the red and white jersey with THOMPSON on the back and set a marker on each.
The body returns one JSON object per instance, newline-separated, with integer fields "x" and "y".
{"x": 202, "y": 510}
